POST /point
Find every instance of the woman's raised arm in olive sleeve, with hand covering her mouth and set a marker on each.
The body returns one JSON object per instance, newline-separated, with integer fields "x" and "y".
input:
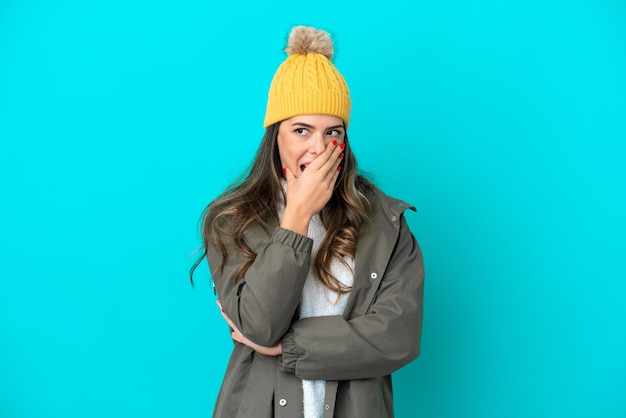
{"x": 262, "y": 304}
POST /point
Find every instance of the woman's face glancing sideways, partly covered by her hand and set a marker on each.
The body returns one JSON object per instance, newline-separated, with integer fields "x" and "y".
{"x": 302, "y": 138}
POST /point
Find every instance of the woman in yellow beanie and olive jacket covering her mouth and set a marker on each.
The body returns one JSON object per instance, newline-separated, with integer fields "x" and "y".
{"x": 316, "y": 270}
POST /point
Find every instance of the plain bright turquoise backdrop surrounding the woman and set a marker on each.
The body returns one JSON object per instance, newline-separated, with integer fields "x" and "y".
{"x": 503, "y": 122}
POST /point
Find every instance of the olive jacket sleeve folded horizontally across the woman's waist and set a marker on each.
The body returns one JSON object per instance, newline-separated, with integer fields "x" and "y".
{"x": 375, "y": 344}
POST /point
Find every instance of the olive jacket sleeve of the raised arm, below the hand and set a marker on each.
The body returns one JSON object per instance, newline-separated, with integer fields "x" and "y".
{"x": 263, "y": 303}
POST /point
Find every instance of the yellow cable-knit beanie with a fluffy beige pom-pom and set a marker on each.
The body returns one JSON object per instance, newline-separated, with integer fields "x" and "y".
{"x": 307, "y": 83}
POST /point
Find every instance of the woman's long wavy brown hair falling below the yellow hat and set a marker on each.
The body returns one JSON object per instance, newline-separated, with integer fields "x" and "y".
{"x": 255, "y": 196}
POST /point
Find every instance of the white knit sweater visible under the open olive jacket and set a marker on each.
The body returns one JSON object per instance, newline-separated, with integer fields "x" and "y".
{"x": 320, "y": 301}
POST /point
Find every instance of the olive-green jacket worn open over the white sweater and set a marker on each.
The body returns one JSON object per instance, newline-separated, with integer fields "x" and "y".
{"x": 355, "y": 353}
